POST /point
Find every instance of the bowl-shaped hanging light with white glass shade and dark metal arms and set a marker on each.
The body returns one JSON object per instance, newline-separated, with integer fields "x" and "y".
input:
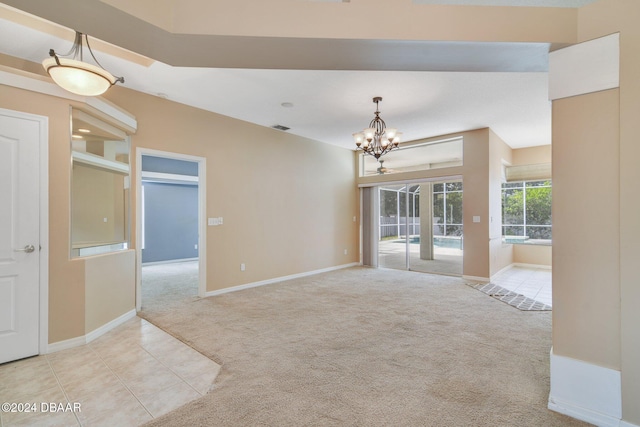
{"x": 77, "y": 76}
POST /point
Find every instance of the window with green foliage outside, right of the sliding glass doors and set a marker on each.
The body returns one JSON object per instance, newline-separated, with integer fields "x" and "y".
{"x": 526, "y": 212}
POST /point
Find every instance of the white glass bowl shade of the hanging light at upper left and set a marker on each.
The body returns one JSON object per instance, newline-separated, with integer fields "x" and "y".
{"x": 78, "y": 77}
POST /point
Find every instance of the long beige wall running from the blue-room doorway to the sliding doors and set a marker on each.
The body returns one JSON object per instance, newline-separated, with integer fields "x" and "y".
{"x": 288, "y": 203}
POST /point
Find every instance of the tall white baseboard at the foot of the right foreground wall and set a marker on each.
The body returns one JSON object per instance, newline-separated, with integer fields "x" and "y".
{"x": 585, "y": 391}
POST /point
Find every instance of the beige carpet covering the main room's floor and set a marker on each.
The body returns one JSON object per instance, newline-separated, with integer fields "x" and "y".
{"x": 366, "y": 347}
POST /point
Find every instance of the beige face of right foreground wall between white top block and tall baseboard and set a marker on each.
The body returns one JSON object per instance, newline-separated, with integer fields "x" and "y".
{"x": 586, "y": 232}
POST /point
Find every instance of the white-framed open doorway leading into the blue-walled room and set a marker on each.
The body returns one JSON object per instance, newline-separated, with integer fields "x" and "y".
{"x": 170, "y": 229}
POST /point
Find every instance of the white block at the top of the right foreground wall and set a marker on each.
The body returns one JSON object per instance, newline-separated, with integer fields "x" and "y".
{"x": 586, "y": 67}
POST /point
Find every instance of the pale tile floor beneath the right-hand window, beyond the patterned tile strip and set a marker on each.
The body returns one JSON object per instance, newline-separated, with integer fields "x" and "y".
{"x": 534, "y": 283}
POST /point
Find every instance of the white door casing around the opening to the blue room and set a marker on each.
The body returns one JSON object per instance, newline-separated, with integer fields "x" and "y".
{"x": 202, "y": 216}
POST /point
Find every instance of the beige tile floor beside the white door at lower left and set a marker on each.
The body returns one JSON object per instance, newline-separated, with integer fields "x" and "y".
{"x": 127, "y": 377}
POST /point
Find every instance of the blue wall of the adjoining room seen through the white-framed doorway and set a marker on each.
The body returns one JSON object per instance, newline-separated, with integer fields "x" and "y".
{"x": 171, "y": 221}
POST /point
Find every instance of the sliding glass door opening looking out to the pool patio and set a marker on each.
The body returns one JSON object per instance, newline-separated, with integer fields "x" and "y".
{"x": 420, "y": 227}
